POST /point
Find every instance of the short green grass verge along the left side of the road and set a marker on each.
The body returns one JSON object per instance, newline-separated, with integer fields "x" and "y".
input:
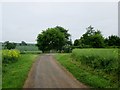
{"x": 16, "y": 73}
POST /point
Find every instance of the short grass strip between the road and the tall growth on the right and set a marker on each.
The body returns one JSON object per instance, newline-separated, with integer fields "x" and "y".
{"x": 82, "y": 74}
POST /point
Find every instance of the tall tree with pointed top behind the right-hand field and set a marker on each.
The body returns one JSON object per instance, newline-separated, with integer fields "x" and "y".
{"x": 92, "y": 38}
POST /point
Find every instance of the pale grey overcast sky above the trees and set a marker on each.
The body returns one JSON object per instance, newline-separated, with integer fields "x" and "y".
{"x": 24, "y": 21}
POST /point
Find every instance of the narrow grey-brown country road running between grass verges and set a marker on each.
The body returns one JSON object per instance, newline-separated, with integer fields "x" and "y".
{"x": 48, "y": 73}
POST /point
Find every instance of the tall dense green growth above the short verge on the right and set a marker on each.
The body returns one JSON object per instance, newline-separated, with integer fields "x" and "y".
{"x": 98, "y": 59}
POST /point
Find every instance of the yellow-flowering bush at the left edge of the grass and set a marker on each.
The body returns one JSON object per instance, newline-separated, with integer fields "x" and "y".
{"x": 10, "y": 55}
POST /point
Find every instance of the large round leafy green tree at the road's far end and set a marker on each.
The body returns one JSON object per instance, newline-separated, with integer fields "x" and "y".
{"x": 51, "y": 39}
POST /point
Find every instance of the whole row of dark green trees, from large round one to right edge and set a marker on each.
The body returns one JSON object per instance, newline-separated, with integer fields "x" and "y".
{"x": 58, "y": 39}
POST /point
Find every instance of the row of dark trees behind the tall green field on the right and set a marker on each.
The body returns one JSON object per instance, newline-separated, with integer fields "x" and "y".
{"x": 94, "y": 39}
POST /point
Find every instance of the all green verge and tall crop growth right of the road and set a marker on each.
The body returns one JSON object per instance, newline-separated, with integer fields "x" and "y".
{"x": 95, "y": 67}
